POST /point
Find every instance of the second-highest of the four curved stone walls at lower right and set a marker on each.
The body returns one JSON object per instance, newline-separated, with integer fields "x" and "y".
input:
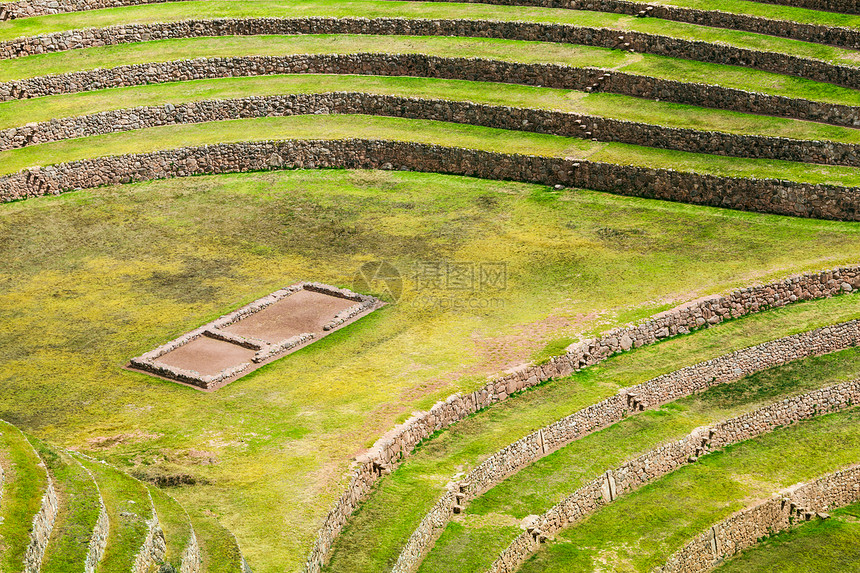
{"x": 651, "y": 394}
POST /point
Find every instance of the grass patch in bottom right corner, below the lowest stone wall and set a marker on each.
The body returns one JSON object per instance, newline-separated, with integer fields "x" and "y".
{"x": 829, "y": 546}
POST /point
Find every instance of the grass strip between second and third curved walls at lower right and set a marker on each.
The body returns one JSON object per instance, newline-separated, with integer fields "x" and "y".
{"x": 489, "y": 524}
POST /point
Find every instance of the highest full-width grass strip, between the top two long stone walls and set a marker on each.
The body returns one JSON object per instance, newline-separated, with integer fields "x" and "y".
{"x": 377, "y": 9}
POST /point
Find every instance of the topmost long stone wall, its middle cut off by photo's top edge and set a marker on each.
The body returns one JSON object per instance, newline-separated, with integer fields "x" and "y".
{"x": 830, "y": 35}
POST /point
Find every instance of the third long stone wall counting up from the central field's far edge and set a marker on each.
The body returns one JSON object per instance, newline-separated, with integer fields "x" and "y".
{"x": 421, "y": 65}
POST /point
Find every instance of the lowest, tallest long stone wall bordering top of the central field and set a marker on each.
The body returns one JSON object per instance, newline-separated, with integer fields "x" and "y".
{"x": 749, "y": 194}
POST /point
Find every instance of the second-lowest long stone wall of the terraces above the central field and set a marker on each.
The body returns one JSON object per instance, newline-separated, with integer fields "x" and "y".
{"x": 501, "y": 117}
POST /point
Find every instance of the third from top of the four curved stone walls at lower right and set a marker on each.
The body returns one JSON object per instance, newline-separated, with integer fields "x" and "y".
{"x": 666, "y": 459}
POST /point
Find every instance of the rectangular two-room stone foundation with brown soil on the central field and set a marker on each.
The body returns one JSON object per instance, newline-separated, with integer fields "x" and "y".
{"x": 265, "y": 330}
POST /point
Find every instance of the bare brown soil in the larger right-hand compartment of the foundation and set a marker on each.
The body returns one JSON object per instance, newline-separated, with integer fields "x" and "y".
{"x": 304, "y": 311}
